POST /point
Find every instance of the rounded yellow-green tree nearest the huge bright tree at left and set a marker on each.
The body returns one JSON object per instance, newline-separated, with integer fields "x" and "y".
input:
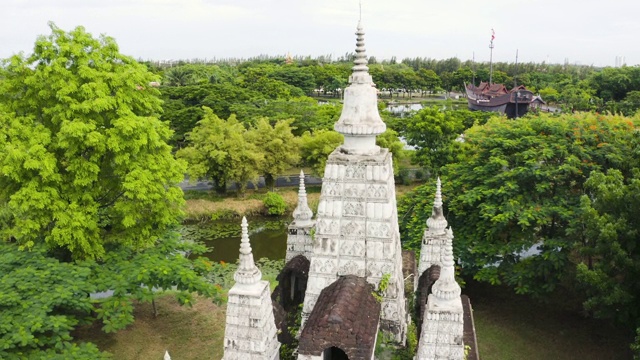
{"x": 221, "y": 151}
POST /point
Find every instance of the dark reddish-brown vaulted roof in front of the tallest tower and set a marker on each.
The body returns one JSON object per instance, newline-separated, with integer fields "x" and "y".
{"x": 346, "y": 316}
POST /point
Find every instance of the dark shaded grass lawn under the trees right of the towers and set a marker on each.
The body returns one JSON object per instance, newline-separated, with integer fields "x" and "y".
{"x": 510, "y": 326}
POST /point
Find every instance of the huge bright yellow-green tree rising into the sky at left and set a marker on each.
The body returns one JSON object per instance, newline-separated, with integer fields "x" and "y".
{"x": 83, "y": 157}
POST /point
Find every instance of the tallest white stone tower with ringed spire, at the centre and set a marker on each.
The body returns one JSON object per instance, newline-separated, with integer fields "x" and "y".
{"x": 356, "y": 229}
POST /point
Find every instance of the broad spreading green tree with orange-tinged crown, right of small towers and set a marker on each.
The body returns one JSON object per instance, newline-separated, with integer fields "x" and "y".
{"x": 518, "y": 185}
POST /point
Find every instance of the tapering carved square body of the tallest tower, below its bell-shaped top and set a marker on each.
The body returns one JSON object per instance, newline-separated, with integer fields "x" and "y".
{"x": 357, "y": 231}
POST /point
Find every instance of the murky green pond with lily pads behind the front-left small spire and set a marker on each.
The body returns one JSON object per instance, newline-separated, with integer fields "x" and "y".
{"x": 268, "y": 238}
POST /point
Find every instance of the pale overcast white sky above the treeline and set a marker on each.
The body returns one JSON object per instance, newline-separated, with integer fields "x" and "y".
{"x": 586, "y": 32}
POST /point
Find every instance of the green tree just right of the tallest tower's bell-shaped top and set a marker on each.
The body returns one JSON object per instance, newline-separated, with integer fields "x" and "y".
{"x": 434, "y": 133}
